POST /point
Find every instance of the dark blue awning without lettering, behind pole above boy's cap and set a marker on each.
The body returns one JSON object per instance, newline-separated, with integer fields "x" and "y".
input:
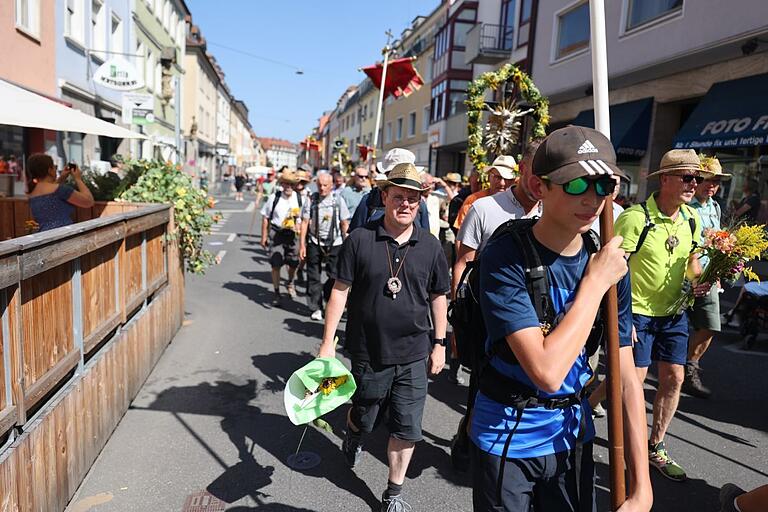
{"x": 630, "y": 124}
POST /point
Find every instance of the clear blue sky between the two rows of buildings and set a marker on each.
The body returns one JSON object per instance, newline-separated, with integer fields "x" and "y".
{"x": 328, "y": 39}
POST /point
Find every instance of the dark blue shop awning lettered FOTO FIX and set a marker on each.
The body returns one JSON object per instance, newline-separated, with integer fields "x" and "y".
{"x": 733, "y": 114}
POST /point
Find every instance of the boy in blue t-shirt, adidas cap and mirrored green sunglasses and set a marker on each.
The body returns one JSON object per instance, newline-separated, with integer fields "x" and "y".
{"x": 524, "y": 454}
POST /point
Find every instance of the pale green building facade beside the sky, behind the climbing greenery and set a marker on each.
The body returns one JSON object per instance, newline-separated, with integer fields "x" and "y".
{"x": 160, "y": 30}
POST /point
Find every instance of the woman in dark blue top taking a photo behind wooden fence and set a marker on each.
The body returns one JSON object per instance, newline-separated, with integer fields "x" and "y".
{"x": 50, "y": 201}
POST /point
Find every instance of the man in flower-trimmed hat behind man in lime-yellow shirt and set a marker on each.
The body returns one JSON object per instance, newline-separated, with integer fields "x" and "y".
{"x": 705, "y": 314}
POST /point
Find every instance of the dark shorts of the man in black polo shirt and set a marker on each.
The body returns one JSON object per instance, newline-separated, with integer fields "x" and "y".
{"x": 397, "y": 390}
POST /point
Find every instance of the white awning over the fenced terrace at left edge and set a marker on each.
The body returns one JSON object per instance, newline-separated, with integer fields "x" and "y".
{"x": 23, "y": 108}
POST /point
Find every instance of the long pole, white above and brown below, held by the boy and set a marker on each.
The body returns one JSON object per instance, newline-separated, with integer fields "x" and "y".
{"x": 610, "y": 301}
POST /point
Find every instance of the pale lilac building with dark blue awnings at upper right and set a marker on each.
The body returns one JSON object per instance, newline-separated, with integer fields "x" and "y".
{"x": 668, "y": 64}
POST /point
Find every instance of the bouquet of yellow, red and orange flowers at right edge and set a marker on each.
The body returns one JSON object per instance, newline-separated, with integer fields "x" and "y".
{"x": 729, "y": 253}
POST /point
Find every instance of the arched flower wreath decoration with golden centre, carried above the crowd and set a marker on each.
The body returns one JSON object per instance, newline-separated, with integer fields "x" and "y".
{"x": 503, "y": 128}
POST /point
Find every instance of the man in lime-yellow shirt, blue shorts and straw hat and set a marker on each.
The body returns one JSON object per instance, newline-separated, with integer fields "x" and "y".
{"x": 660, "y": 233}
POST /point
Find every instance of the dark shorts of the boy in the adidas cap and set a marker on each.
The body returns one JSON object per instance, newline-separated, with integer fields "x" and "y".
{"x": 543, "y": 484}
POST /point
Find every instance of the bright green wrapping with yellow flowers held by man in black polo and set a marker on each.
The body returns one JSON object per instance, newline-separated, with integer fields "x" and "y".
{"x": 303, "y": 398}
